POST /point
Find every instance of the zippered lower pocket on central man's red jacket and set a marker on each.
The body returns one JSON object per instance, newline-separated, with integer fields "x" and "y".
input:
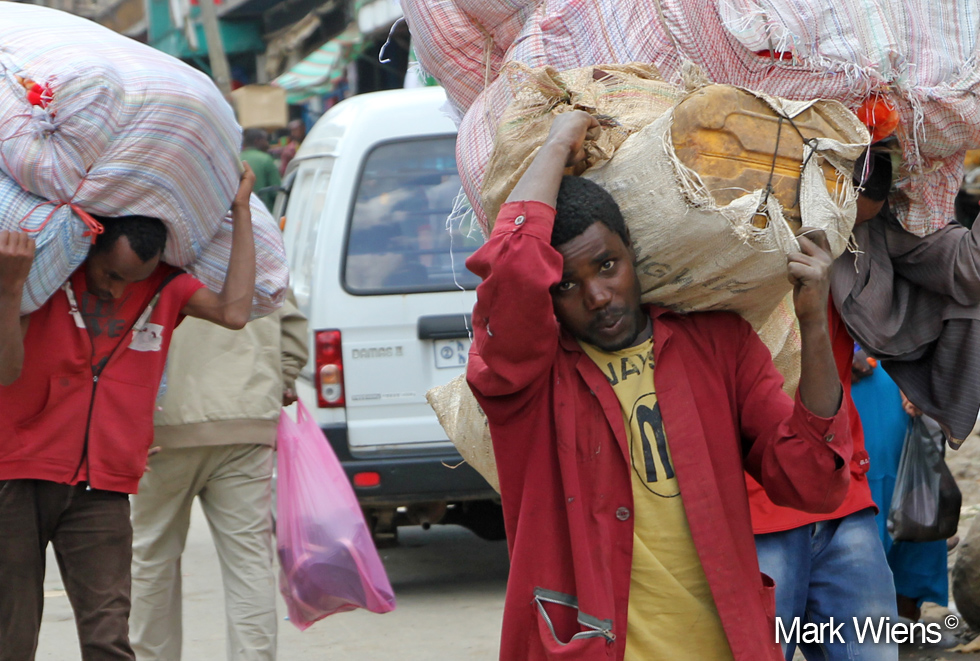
{"x": 567, "y": 632}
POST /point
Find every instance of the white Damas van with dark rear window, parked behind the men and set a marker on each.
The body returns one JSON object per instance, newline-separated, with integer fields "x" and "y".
{"x": 383, "y": 283}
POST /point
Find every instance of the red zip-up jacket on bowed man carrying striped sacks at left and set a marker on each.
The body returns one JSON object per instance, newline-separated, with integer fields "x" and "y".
{"x": 61, "y": 420}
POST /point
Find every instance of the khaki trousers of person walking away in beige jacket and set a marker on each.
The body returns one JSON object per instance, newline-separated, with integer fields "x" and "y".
{"x": 234, "y": 483}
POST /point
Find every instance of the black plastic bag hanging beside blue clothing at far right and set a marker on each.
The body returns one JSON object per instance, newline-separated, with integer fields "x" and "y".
{"x": 926, "y": 502}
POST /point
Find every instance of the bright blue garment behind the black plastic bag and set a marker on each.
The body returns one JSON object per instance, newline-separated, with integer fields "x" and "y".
{"x": 920, "y": 568}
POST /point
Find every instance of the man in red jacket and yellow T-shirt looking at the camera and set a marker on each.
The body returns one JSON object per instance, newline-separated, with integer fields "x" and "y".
{"x": 621, "y": 433}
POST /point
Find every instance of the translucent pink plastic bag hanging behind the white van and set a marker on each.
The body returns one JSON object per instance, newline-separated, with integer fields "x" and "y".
{"x": 329, "y": 563}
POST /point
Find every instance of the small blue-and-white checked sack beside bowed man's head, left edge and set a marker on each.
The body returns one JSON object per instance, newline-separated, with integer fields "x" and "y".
{"x": 60, "y": 239}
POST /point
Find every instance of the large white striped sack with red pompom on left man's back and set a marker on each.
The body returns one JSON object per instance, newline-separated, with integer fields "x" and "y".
{"x": 119, "y": 129}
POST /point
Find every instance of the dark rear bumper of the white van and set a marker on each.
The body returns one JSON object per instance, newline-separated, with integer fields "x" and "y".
{"x": 408, "y": 479}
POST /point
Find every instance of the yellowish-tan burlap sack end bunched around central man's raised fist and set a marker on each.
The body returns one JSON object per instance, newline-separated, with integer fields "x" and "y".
{"x": 624, "y": 98}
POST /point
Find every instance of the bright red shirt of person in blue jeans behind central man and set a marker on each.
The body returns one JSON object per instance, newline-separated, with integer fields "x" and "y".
{"x": 768, "y": 517}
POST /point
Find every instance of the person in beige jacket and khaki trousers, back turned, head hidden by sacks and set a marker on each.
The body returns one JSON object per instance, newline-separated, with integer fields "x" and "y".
{"x": 217, "y": 432}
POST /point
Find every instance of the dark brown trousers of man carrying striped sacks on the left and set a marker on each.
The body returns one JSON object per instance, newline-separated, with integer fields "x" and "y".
{"x": 92, "y": 538}
